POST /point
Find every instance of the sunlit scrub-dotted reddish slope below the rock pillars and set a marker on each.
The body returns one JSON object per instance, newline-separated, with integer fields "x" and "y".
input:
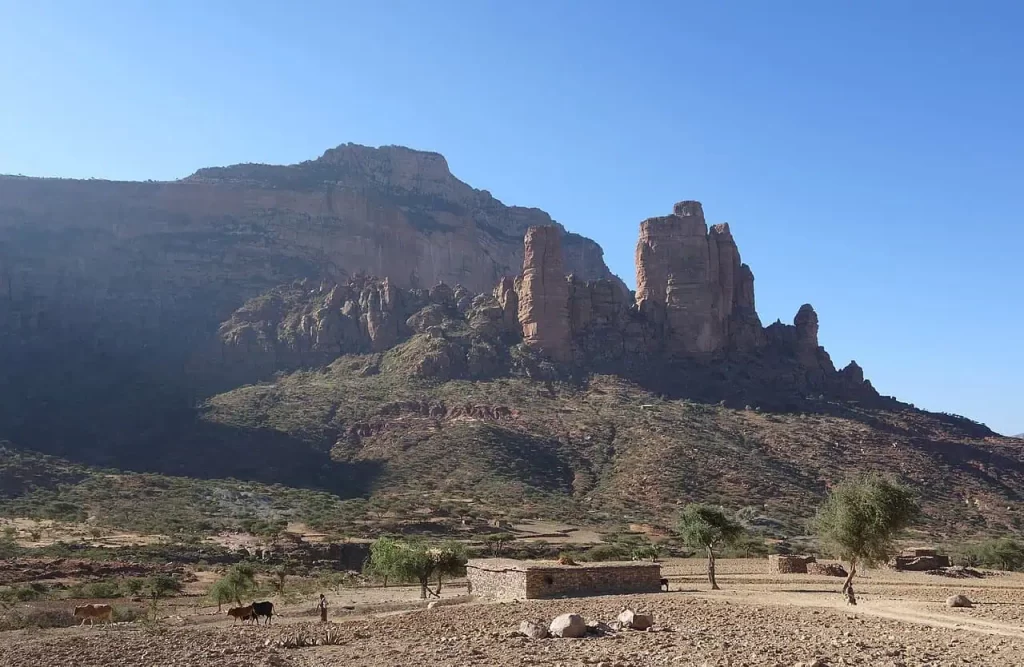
{"x": 608, "y": 449}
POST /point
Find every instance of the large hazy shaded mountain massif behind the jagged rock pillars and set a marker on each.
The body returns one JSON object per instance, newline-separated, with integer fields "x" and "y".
{"x": 118, "y": 288}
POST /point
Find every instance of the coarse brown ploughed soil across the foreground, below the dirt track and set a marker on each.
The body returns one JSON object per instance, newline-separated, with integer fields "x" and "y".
{"x": 696, "y": 631}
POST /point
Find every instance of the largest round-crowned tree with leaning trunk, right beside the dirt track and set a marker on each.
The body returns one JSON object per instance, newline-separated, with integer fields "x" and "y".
{"x": 861, "y": 520}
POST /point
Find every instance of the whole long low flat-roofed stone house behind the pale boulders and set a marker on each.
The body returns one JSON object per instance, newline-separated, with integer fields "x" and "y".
{"x": 509, "y": 579}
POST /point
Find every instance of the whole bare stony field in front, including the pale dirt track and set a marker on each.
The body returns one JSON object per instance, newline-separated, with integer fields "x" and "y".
{"x": 757, "y": 619}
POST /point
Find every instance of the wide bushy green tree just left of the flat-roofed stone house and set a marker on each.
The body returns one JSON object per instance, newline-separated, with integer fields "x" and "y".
{"x": 416, "y": 561}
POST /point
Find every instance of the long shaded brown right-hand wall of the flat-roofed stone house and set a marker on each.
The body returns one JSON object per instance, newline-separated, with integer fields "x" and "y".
{"x": 601, "y": 579}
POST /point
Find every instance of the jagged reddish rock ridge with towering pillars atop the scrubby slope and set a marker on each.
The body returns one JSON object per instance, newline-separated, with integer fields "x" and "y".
{"x": 693, "y": 327}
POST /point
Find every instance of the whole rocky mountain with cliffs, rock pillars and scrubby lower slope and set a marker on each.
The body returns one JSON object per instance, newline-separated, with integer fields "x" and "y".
{"x": 367, "y": 324}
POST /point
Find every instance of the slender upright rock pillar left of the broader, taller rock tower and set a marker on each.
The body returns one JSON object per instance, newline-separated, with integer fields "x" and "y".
{"x": 544, "y": 296}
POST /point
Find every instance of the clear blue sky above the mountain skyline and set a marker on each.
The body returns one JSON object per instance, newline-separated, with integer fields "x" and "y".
{"x": 870, "y": 156}
